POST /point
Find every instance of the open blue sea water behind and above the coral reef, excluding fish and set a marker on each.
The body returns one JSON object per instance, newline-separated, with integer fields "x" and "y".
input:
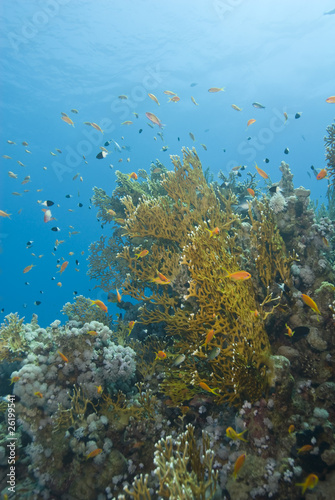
{"x": 62, "y": 54}
